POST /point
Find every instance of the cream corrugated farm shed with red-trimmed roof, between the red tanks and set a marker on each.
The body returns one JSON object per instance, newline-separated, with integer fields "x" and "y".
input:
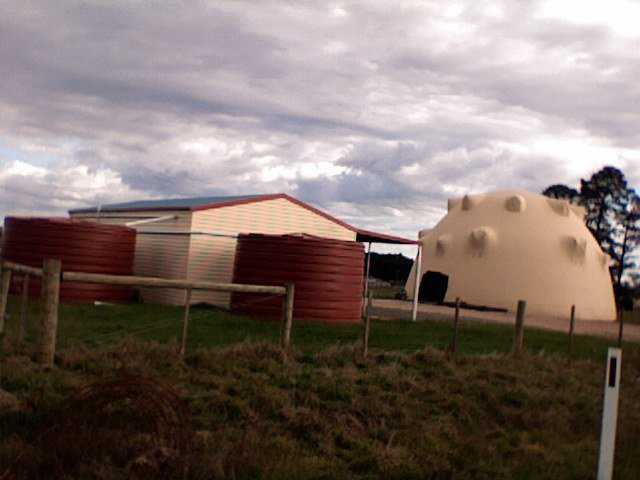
{"x": 196, "y": 238}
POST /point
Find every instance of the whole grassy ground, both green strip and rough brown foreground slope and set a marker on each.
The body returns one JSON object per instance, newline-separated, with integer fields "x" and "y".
{"x": 406, "y": 412}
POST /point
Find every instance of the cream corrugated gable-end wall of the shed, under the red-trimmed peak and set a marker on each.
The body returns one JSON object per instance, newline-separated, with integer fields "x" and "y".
{"x": 211, "y": 258}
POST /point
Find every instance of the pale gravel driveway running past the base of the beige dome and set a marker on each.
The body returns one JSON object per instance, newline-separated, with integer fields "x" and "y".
{"x": 393, "y": 309}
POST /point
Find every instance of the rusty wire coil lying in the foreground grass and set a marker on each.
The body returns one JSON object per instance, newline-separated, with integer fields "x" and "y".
{"x": 132, "y": 424}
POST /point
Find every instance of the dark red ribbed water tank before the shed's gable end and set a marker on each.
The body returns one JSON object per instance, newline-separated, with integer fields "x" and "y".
{"x": 327, "y": 273}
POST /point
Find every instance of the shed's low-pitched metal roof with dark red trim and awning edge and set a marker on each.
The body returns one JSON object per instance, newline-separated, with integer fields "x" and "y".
{"x": 206, "y": 203}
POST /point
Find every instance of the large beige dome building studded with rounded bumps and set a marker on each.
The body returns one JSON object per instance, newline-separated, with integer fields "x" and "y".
{"x": 497, "y": 248}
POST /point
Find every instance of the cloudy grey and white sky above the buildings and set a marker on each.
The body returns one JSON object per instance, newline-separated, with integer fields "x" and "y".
{"x": 374, "y": 111}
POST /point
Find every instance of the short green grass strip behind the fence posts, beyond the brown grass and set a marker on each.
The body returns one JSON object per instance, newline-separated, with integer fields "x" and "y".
{"x": 107, "y": 324}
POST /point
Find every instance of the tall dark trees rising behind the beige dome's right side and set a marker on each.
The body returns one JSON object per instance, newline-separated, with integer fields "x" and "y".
{"x": 613, "y": 217}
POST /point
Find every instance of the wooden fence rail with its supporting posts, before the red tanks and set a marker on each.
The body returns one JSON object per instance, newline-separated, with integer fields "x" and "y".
{"x": 52, "y": 276}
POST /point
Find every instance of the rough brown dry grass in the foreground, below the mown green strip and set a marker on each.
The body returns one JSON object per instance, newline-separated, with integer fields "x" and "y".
{"x": 257, "y": 414}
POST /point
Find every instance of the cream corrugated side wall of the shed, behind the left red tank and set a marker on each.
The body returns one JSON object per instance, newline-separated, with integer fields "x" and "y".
{"x": 157, "y": 255}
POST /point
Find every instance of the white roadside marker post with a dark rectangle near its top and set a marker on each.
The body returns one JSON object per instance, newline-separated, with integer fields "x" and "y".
{"x": 609, "y": 414}
